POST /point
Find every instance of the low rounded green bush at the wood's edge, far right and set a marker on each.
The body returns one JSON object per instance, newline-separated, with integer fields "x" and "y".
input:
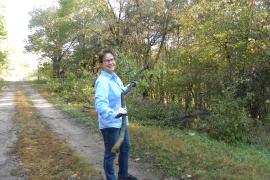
{"x": 229, "y": 121}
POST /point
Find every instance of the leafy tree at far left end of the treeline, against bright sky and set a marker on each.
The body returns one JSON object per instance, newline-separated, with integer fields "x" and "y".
{"x": 52, "y": 37}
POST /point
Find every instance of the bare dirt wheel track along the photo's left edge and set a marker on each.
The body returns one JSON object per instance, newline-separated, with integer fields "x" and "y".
{"x": 8, "y": 163}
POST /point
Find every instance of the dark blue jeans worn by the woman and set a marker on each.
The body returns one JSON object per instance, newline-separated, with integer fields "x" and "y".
{"x": 110, "y": 136}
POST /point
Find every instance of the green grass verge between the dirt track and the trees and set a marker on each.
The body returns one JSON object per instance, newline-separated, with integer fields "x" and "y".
{"x": 188, "y": 155}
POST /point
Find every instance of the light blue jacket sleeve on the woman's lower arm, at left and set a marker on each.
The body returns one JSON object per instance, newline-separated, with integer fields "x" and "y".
{"x": 102, "y": 100}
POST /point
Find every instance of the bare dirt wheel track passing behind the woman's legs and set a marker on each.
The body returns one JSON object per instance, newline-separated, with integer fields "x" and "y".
{"x": 88, "y": 144}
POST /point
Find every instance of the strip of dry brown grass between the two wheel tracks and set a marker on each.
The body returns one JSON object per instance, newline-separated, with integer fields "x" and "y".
{"x": 41, "y": 153}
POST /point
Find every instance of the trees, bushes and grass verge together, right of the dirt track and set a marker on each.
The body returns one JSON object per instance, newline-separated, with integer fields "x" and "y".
{"x": 209, "y": 75}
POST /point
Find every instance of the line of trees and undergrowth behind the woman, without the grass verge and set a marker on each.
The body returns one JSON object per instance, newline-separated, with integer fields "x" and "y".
{"x": 206, "y": 57}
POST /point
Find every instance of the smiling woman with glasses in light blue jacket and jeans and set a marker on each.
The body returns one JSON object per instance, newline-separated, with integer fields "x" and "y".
{"x": 108, "y": 88}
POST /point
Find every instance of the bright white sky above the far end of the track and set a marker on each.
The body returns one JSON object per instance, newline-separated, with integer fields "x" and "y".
{"x": 17, "y": 19}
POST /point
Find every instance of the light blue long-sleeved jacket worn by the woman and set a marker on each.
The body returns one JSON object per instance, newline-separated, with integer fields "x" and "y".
{"x": 108, "y": 89}
